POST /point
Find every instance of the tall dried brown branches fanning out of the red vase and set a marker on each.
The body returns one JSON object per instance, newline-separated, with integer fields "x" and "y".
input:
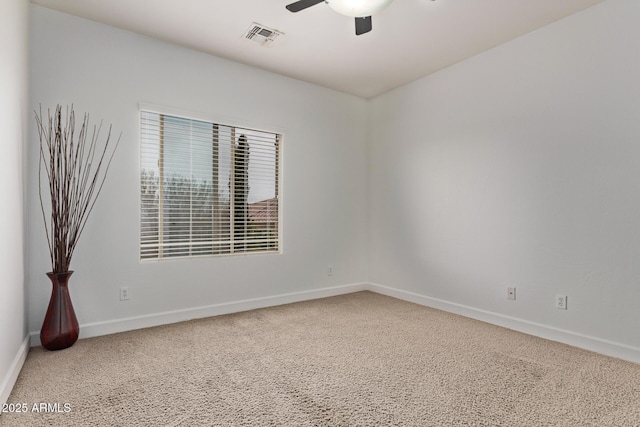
{"x": 75, "y": 170}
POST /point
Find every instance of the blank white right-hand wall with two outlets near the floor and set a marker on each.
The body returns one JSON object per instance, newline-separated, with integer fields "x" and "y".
{"x": 519, "y": 167}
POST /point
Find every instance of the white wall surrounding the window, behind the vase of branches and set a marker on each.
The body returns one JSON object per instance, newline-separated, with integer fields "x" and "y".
{"x": 107, "y": 72}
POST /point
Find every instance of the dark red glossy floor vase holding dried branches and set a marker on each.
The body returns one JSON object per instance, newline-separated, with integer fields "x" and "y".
{"x": 60, "y": 328}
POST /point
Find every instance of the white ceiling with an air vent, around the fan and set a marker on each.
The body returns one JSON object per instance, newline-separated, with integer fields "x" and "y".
{"x": 410, "y": 38}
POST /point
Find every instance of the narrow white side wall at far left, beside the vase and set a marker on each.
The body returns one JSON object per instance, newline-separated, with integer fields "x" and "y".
{"x": 14, "y": 108}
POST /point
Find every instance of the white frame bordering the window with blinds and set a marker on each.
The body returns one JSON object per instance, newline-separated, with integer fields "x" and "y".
{"x": 217, "y": 121}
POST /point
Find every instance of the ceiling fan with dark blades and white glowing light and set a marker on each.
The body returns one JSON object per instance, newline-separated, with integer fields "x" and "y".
{"x": 361, "y": 10}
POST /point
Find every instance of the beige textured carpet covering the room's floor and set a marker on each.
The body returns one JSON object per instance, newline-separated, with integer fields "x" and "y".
{"x": 356, "y": 360}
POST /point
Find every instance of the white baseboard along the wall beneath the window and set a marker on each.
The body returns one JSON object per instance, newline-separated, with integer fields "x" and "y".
{"x": 146, "y": 321}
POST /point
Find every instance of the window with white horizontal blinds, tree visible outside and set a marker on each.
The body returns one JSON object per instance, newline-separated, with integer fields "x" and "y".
{"x": 206, "y": 188}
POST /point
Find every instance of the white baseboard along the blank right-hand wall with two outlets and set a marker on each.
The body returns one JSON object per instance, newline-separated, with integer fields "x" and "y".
{"x": 598, "y": 345}
